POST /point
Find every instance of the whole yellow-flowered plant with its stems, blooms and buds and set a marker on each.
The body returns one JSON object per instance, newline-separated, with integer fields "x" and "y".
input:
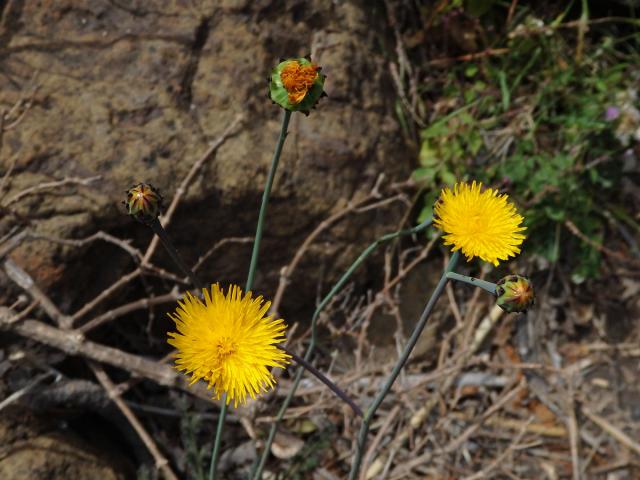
{"x": 230, "y": 340}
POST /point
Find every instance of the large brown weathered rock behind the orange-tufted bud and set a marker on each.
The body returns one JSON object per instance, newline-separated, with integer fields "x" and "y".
{"x": 135, "y": 91}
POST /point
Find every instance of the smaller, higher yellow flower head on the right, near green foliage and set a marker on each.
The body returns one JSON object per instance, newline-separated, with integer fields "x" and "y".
{"x": 479, "y": 222}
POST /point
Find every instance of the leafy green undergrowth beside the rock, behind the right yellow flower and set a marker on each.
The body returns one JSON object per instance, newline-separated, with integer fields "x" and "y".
{"x": 532, "y": 122}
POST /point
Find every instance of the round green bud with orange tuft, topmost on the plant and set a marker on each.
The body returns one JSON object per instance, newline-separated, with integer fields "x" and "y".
{"x": 296, "y": 85}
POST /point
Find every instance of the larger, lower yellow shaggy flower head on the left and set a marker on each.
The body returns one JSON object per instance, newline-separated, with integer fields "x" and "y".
{"x": 228, "y": 341}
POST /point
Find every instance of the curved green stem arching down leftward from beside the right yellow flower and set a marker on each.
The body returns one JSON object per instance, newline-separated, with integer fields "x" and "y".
{"x": 258, "y": 467}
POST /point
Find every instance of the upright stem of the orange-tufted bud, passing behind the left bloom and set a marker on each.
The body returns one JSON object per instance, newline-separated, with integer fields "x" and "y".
{"x": 252, "y": 269}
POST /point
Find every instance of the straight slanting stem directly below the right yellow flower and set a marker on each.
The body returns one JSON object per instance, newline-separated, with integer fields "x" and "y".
{"x": 417, "y": 331}
